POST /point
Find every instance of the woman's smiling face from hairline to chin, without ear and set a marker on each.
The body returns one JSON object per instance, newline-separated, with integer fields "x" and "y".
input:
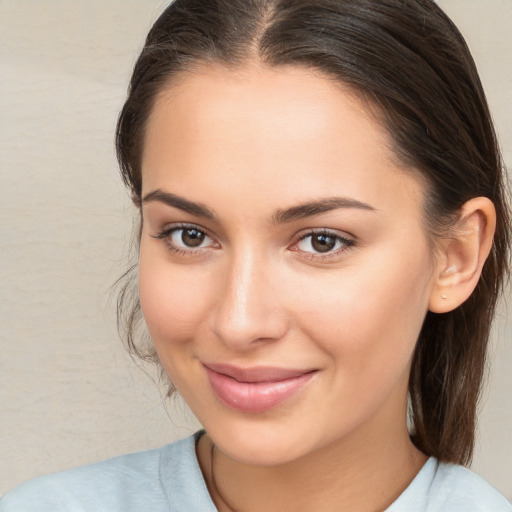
{"x": 284, "y": 269}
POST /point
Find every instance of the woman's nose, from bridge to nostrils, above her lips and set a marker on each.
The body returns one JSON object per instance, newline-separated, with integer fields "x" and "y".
{"x": 249, "y": 310}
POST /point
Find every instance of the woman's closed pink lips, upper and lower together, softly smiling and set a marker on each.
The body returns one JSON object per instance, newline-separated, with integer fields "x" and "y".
{"x": 255, "y": 389}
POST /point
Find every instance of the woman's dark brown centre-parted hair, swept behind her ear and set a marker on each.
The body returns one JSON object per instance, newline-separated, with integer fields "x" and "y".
{"x": 408, "y": 61}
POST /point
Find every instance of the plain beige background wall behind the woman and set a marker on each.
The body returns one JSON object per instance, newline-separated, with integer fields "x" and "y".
{"x": 68, "y": 393}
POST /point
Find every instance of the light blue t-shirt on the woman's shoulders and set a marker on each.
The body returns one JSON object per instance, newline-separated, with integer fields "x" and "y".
{"x": 169, "y": 480}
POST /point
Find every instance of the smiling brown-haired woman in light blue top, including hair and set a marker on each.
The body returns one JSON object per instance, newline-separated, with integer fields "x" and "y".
{"x": 323, "y": 239}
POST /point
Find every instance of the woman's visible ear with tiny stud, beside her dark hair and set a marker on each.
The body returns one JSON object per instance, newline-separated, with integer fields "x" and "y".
{"x": 461, "y": 257}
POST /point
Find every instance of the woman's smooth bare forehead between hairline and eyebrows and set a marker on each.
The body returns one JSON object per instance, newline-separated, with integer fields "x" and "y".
{"x": 262, "y": 130}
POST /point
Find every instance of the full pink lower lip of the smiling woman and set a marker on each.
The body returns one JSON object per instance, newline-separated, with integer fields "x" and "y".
{"x": 255, "y": 396}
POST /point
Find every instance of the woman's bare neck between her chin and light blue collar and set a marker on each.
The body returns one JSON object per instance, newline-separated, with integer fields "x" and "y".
{"x": 361, "y": 474}
